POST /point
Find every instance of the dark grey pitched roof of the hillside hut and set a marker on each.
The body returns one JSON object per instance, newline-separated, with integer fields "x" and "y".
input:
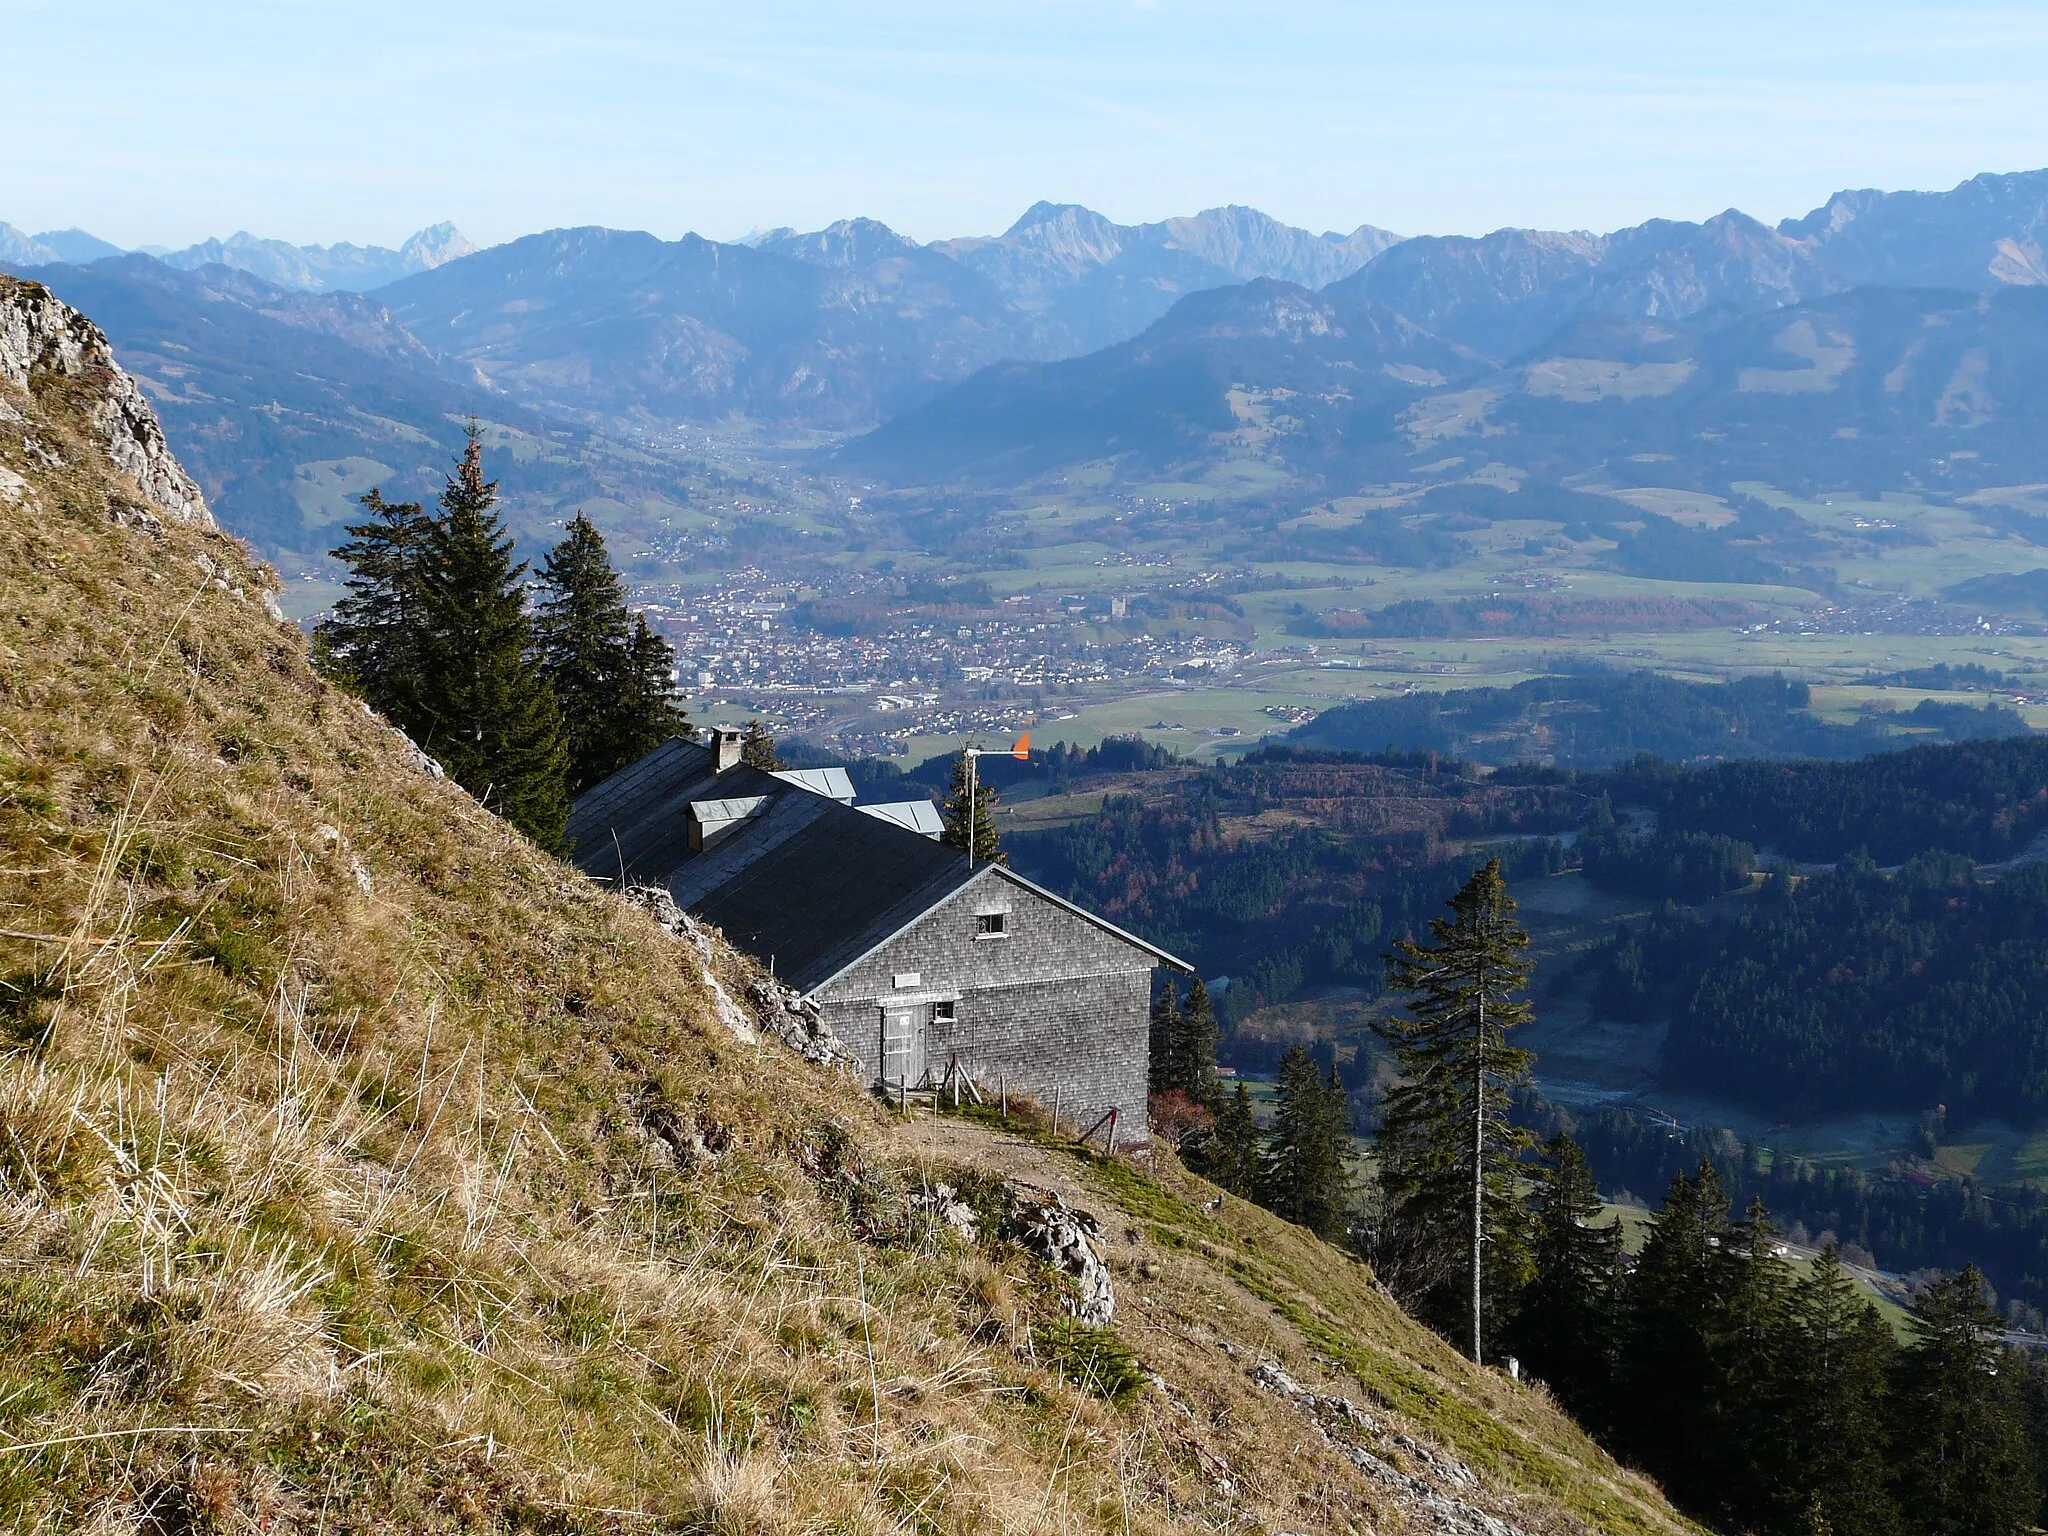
{"x": 806, "y": 884}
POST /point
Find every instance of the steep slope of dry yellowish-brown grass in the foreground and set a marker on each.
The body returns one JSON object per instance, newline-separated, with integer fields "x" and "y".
{"x": 366, "y": 1170}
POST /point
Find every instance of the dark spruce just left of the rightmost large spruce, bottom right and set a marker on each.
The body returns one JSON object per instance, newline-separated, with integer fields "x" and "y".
{"x": 1836, "y": 1406}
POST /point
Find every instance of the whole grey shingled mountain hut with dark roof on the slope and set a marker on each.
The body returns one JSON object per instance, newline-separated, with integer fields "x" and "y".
{"x": 921, "y": 964}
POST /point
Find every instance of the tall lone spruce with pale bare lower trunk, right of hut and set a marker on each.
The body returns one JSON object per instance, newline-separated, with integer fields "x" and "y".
{"x": 1447, "y": 1144}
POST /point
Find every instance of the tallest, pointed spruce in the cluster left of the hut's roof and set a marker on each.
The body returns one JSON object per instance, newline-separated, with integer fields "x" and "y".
{"x": 488, "y": 706}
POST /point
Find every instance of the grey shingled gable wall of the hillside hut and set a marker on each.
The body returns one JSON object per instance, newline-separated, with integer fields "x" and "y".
{"x": 1056, "y": 1005}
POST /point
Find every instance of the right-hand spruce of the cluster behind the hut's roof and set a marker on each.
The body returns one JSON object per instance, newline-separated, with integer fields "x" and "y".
{"x": 607, "y": 669}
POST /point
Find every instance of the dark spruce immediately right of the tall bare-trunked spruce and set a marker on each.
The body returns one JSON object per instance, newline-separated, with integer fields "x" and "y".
{"x": 1564, "y": 1328}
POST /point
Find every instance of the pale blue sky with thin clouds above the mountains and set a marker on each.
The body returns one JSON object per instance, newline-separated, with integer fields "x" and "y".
{"x": 151, "y": 122}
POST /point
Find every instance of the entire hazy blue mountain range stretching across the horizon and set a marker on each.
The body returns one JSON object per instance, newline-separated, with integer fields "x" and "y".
{"x": 1887, "y": 337}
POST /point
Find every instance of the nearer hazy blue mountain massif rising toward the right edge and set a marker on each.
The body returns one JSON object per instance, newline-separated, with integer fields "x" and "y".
{"x": 1887, "y": 339}
